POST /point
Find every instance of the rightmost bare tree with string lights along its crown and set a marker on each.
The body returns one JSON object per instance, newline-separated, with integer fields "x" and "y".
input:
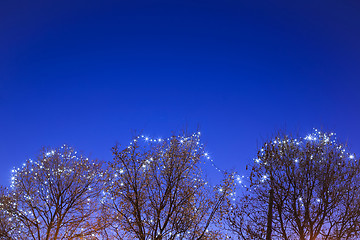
{"x": 316, "y": 191}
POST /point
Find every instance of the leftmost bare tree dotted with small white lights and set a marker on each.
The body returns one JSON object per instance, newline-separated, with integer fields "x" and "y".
{"x": 54, "y": 197}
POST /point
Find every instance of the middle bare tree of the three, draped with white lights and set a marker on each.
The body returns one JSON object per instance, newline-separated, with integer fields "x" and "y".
{"x": 157, "y": 191}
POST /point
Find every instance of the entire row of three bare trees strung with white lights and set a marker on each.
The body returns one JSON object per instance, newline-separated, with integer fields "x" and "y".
{"x": 299, "y": 188}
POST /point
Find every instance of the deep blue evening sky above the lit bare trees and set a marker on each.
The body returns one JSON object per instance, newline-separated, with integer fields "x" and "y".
{"x": 92, "y": 73}
